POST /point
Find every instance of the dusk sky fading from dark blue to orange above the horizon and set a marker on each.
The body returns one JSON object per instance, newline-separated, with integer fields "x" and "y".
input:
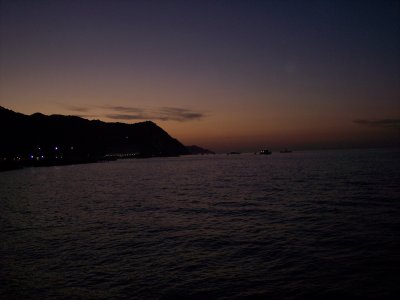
{"x": 225, "y": 75}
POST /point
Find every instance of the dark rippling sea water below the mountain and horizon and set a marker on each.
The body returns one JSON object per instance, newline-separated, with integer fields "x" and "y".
{"x": 322, "y": 225}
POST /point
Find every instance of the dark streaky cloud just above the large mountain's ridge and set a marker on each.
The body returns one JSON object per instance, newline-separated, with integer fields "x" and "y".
{"x": 163, "y": 114}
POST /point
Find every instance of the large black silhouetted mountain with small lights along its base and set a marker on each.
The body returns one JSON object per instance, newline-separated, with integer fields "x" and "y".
{"x": 57, "y": 139}
